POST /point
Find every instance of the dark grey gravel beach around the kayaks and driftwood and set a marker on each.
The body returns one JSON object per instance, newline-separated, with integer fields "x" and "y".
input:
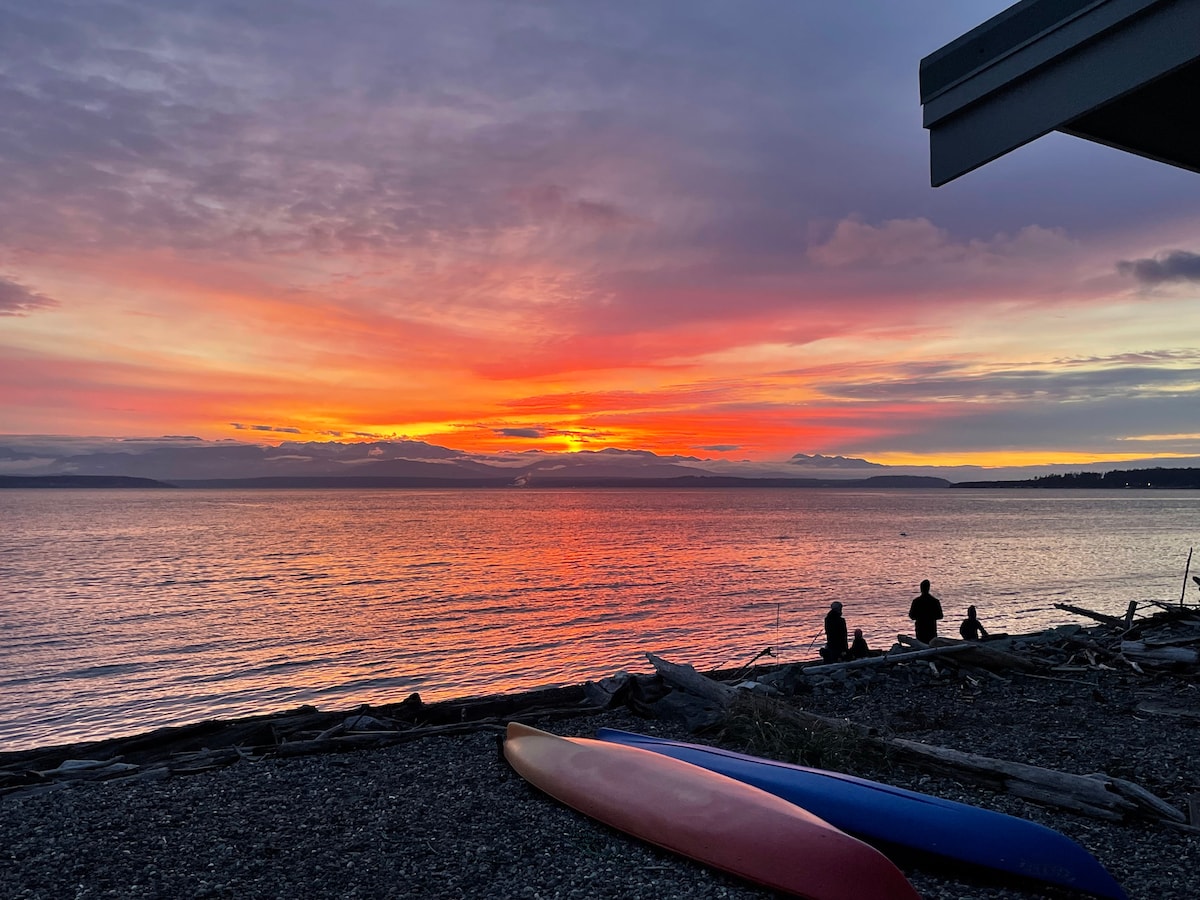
{"x": 446, "y": 818}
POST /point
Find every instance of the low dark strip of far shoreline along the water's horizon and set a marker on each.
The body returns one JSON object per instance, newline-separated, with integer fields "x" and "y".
{"x": 1118, "y": 481}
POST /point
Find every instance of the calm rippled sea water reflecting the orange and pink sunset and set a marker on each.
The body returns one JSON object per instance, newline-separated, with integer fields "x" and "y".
{"x": 129, "y": 610}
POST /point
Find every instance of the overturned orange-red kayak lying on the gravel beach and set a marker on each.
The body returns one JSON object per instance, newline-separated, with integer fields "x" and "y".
{"x": 706, "y": 817}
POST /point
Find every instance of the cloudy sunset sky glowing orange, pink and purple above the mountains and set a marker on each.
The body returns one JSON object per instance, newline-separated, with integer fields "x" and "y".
{"x": 699, "y": 229}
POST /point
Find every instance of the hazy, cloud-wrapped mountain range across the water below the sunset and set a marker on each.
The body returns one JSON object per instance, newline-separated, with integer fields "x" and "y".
{"x": 193, "y": 463}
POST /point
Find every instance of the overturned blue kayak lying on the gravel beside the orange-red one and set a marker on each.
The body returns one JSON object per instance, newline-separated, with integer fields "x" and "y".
{"x": 898, "y": 820}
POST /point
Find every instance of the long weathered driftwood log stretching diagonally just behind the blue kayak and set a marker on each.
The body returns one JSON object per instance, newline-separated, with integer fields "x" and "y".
{"x": 1099, "y": 796}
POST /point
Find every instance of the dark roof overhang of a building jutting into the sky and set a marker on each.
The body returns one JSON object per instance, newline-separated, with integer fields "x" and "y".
{"x": 1125, "y": 74}
